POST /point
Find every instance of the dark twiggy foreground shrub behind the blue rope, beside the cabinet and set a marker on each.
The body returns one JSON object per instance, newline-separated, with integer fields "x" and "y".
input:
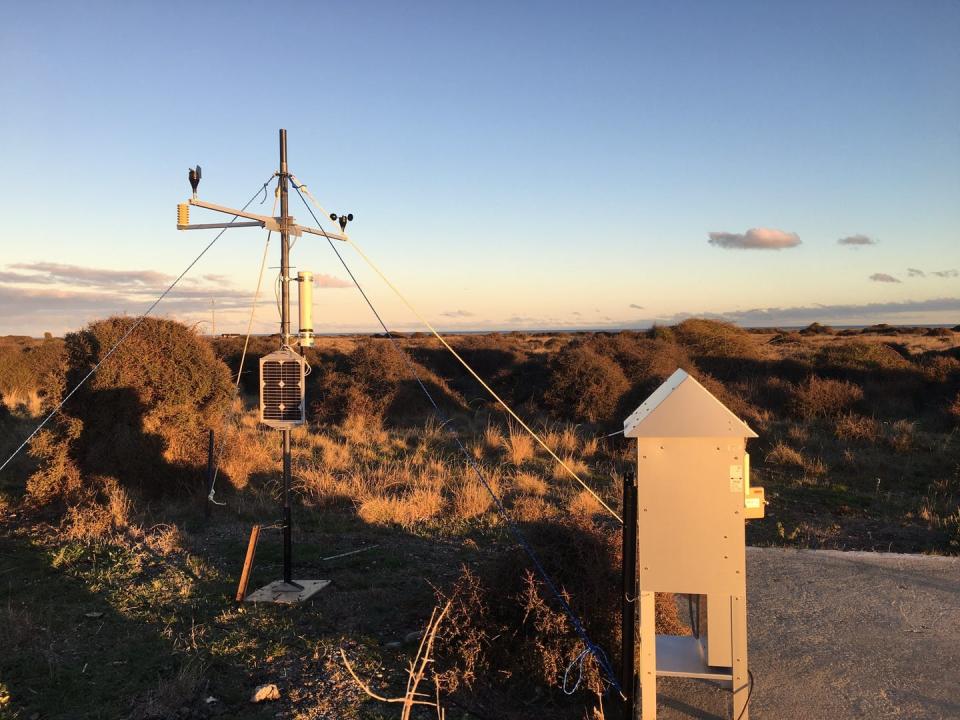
{"x": 507, "y": 628}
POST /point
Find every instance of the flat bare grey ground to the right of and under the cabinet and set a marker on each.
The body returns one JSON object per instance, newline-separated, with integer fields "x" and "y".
{"x": 837, "y": 635}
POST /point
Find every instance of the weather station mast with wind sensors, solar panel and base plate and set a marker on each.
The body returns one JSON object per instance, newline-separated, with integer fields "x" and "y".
{"x": 282, "y": 373}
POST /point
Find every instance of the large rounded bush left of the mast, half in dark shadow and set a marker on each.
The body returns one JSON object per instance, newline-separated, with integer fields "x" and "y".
{"x": 141, "y": 418}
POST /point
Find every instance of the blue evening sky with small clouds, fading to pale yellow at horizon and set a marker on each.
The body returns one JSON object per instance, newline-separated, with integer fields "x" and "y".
{"x": 510, "y": 165}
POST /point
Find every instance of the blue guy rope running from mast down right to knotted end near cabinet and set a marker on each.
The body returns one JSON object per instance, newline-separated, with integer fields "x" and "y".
{"x": 595, "y": 650}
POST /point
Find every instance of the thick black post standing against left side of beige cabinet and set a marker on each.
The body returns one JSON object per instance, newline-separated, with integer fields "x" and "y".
{"x": 628, "y": 600}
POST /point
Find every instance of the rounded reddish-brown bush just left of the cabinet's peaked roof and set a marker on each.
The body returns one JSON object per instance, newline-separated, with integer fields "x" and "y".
{"x": 585, "y": 386}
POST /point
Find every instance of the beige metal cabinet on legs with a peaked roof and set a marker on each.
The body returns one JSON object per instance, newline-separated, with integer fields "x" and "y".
{"x": 693, "y": 496}
